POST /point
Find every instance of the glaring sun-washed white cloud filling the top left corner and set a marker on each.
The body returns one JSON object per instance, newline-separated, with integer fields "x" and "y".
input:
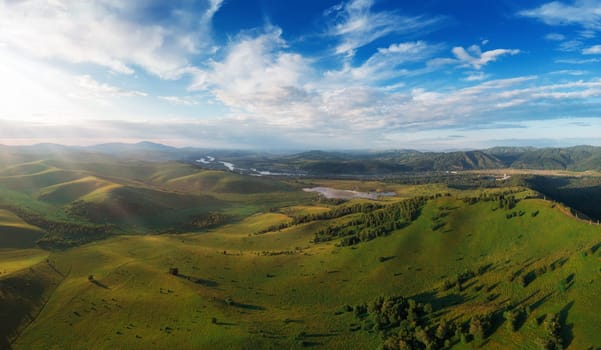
{"x": 103, "y": 32}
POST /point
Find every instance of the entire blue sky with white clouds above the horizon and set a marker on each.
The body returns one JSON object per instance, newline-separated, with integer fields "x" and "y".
{"x": 301, "y": 74}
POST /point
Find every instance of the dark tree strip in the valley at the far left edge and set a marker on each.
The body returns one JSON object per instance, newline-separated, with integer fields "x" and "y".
{"x": 61, "y": 234}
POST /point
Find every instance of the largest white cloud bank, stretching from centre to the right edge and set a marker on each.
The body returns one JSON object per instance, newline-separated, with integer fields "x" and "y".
{"x": 266, "y": 85}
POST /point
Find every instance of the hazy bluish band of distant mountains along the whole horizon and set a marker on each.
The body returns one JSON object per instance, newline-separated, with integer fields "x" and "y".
{"x": 337, "y": 163}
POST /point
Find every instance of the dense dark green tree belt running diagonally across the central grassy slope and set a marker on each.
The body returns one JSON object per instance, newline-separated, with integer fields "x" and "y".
{"x": 374, "y": 224}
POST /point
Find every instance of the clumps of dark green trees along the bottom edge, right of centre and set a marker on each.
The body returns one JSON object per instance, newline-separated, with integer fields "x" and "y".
{"x": 407, "y": 324}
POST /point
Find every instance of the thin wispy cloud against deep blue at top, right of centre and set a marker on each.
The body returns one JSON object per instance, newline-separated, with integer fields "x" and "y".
{"x": 357, "y": 25}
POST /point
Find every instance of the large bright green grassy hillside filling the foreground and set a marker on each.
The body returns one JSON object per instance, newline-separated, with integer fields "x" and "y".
{"x": 277, "y": 290}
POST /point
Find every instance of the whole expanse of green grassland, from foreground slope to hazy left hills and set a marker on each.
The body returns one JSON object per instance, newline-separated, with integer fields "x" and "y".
{"x": 261, "y": 278}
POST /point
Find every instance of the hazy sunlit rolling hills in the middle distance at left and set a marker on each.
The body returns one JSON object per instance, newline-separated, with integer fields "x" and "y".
{"x": 78, "y": 199}
